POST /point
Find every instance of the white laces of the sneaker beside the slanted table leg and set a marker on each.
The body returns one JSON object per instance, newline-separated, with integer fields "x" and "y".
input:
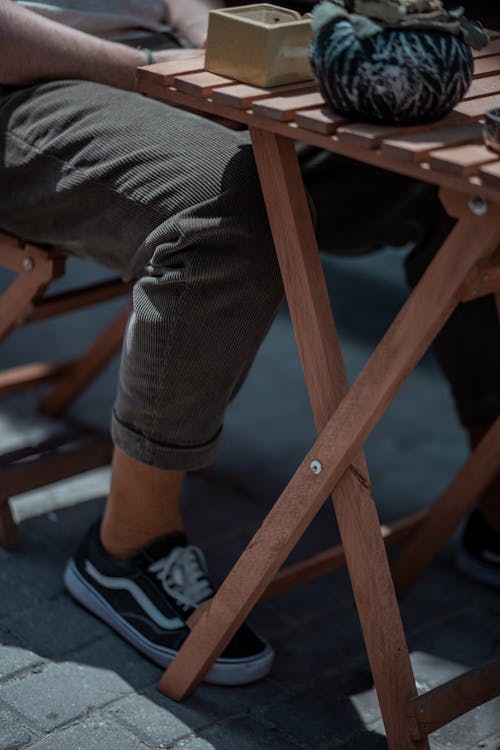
{"x": 183, "y": 575}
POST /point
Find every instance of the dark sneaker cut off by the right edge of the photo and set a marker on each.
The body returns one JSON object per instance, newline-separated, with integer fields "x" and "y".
{"x": 479, "y": 554}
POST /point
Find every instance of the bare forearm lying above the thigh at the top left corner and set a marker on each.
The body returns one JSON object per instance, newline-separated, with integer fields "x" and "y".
{"x": 37, "y": 49}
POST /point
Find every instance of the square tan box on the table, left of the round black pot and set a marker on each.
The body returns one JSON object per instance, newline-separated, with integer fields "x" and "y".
{"x": 261, "y": 44}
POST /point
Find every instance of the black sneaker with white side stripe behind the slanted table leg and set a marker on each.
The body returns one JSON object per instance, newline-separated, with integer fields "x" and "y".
{"x": 148, "y": 597}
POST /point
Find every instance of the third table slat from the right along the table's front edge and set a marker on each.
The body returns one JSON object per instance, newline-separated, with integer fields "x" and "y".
{"x": 417, "y": 147}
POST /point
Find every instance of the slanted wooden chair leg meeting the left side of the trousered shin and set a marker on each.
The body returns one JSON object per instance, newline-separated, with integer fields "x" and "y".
{"x": 85, "y": 368}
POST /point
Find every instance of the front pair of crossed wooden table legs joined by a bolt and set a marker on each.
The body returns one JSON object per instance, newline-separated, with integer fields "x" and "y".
{"x": 344, "y": 418}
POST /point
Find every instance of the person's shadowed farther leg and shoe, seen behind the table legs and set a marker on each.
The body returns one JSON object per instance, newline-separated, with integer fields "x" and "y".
{"x": 360, "y": 209}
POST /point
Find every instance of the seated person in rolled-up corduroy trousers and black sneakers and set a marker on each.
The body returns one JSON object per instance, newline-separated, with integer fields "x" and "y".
{"x": 173, "y": 201}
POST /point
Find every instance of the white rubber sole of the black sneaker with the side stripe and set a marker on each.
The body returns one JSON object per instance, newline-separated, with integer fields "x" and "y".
{"x": 224, "y": 671}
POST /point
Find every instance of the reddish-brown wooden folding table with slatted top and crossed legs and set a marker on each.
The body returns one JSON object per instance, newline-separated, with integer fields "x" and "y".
{"x": 450, "y": 154}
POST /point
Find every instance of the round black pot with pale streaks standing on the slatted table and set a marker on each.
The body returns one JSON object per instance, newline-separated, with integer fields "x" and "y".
{"x": 396, "y": 76}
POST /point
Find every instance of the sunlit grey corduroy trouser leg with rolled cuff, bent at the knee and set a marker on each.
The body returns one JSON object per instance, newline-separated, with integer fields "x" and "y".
{"x": 169, "y": 199}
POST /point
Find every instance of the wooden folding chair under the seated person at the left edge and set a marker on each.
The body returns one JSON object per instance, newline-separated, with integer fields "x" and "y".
{"x": 25, "y": 301}
